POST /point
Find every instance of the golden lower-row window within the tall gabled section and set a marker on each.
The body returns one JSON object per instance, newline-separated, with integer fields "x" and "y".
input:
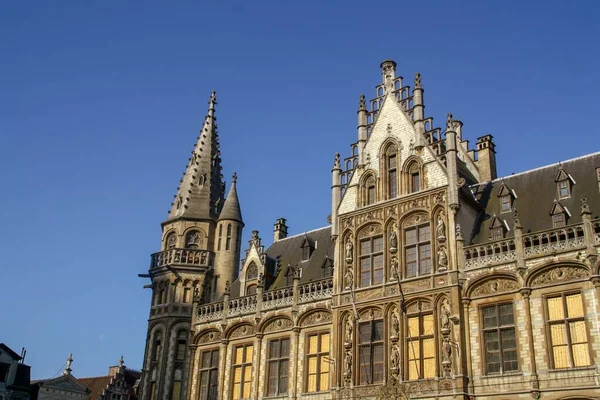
{"x": 420, "y": 347}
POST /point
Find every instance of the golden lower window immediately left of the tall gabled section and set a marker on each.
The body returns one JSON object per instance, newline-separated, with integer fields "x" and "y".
{"x": 317, "y": 362}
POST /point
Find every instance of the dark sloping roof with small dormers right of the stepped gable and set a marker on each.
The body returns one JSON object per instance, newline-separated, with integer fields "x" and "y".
{"x": 536, "y": 193}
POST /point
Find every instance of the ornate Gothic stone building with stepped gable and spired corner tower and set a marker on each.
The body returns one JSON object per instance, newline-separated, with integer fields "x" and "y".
{"x": 435, "y": 278}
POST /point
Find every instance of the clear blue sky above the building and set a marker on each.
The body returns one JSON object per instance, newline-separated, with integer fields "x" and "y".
{"x": 101, "y": 101}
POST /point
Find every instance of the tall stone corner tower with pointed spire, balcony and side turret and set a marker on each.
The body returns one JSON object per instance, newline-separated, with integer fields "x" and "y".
{"x": 190, "y": 264}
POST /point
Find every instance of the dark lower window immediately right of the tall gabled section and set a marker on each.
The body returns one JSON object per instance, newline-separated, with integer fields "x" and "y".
{"x": 500, "y": 343}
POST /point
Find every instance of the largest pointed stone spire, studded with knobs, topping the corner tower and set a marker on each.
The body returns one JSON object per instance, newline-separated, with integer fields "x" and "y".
{"x": 201, "y": 189}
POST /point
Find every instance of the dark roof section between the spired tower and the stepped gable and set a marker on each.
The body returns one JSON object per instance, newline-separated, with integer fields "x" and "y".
{"x": 288, "y": 251}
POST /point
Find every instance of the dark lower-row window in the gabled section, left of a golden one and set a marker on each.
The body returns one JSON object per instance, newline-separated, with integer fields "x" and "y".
{"x": 370, "y": 352}
